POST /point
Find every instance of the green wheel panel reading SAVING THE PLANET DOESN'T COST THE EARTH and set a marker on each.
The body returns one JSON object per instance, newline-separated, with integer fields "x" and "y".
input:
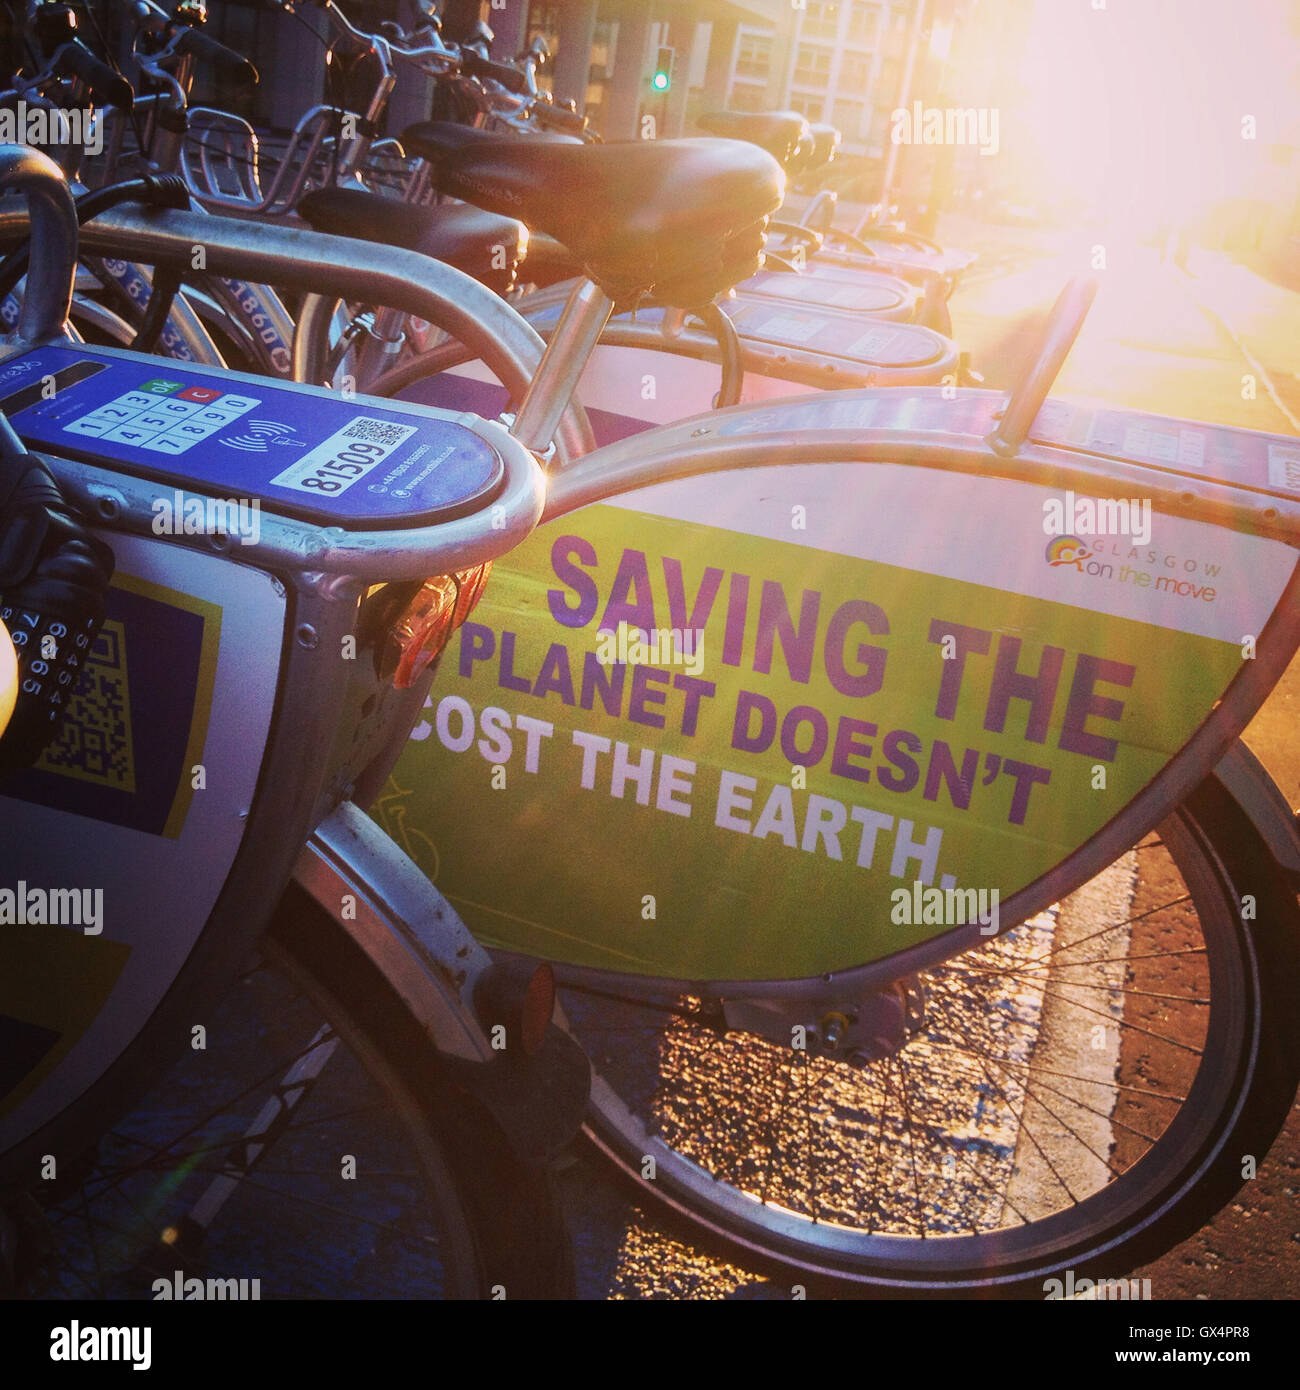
{"x": 688, "y": 751}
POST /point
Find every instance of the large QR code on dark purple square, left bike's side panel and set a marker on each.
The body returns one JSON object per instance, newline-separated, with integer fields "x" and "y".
{"x": 95, "y": 742}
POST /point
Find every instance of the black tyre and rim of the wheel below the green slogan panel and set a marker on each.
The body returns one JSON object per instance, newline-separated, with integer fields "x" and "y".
{"x": 1152, "y": 1206}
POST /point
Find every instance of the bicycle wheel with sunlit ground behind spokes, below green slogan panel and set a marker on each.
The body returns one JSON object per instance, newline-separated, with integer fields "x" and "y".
{"x": 1082, "y": 1093}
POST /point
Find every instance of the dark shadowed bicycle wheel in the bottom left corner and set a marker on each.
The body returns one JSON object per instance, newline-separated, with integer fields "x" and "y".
{"x": 311, "y": 1150}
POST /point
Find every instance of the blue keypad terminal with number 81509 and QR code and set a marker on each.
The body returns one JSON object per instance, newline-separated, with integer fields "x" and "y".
{"x": 358, "y": 464}
